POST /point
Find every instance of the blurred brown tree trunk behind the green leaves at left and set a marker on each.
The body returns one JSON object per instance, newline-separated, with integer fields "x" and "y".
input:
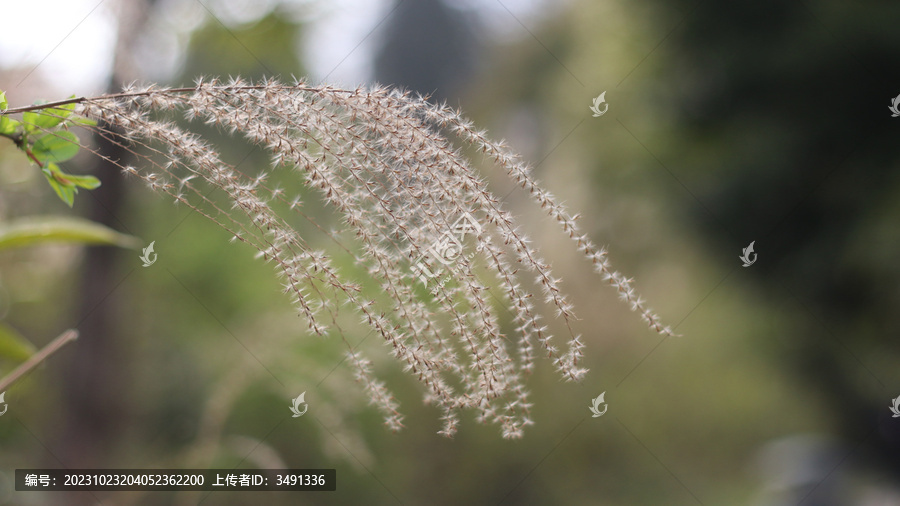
{"x": 95, "y": 378}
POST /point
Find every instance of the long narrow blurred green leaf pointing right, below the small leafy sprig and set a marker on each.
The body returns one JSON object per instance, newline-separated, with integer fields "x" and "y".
{"x": 39, "y": 229}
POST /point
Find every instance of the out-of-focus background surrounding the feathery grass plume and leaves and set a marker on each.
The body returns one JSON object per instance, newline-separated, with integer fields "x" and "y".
{"x": 728, "y": 122}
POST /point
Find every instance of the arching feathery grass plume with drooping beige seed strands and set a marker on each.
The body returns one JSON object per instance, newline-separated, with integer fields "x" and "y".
{"x": 424, "y": 227}
